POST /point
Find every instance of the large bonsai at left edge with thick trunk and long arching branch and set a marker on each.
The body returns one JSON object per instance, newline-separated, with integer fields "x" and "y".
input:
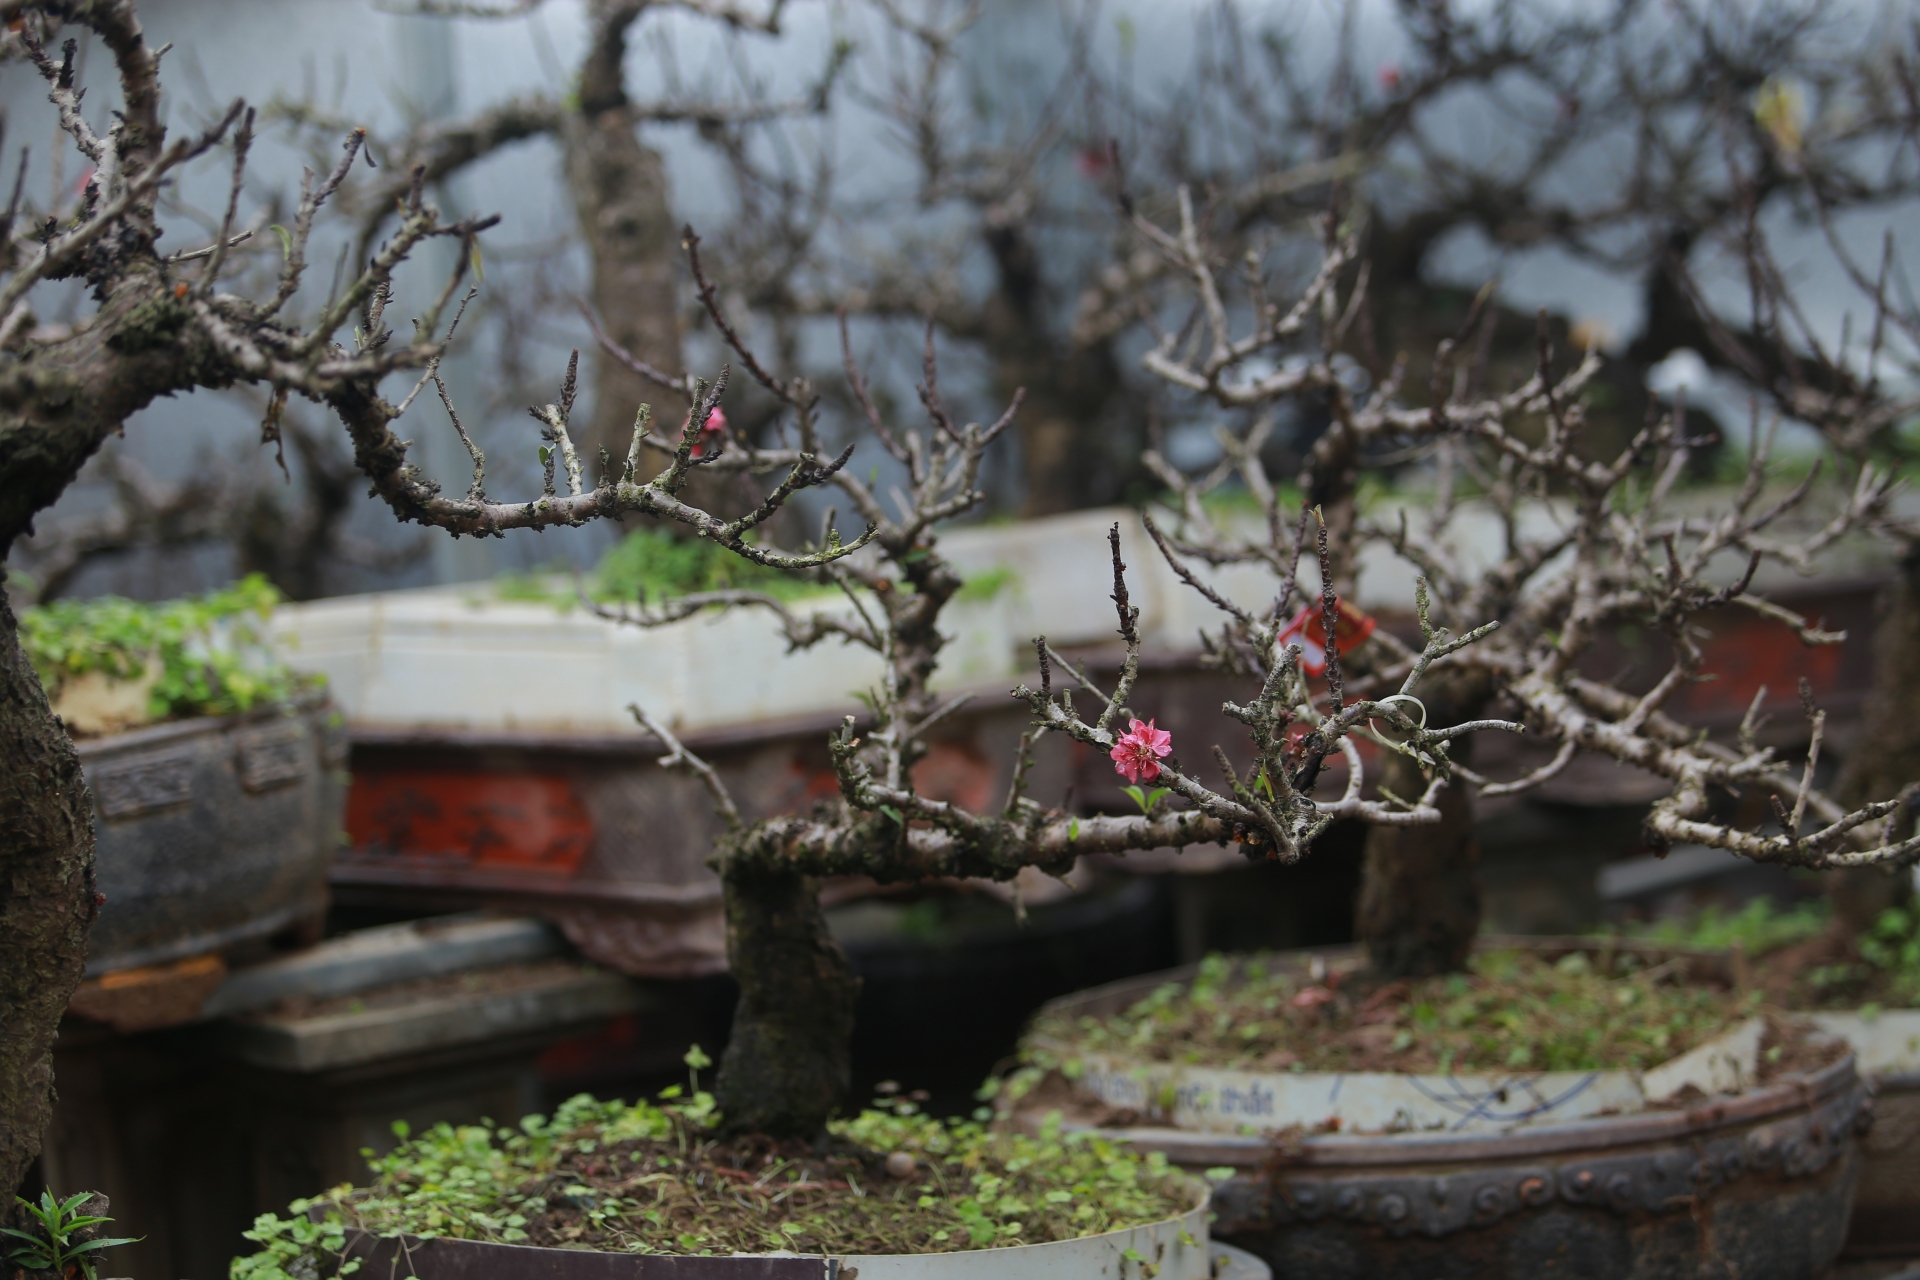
{"x": 164, "y": 323}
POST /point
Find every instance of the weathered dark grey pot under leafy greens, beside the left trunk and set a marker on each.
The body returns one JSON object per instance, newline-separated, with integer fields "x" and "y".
{"x": 212, "y": 832}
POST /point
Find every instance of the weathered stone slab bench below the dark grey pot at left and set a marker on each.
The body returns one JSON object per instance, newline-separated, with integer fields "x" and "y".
{"x": 293, "y": 1068}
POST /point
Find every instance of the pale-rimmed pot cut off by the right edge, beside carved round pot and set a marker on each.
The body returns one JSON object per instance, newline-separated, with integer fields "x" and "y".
{"x": 1886, "y": 1208}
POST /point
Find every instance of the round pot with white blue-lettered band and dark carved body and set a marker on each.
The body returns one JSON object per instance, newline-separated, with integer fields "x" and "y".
{"x": 1698, "y": 1168}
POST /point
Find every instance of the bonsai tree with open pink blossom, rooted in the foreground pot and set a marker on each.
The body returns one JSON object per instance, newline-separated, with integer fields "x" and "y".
{"x": 786, "y": 1066}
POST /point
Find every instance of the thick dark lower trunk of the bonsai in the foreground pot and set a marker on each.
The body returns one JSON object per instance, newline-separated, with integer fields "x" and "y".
{"x": 788, "y": 1064}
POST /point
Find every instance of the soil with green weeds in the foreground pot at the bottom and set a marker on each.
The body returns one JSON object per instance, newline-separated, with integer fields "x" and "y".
{"x": 658, "y": 1179}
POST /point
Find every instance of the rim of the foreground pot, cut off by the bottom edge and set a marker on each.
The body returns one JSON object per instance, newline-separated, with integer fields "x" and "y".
{"x": 1172, "y": 1250}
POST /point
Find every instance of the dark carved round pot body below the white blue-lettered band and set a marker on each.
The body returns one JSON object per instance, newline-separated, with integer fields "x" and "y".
{"x": 1756, "y": 1185}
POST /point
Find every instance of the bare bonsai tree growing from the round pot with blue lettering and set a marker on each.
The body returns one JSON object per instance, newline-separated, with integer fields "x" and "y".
{"x": 1581, "y": 548}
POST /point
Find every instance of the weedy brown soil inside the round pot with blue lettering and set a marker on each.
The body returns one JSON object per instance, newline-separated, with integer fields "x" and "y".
{"x": 1510, "y": 1012}
